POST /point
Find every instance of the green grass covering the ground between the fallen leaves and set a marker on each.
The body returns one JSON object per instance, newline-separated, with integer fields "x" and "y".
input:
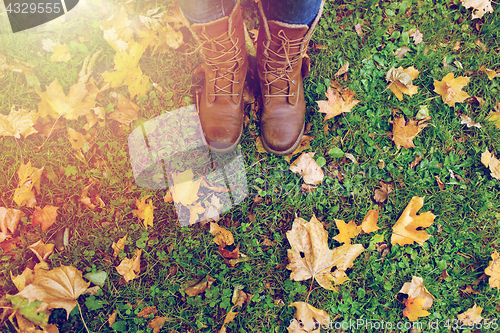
{"x": 464, "y": 234}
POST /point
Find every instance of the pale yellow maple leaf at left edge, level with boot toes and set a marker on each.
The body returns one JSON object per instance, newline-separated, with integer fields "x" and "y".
{"x": 18, "y": 122}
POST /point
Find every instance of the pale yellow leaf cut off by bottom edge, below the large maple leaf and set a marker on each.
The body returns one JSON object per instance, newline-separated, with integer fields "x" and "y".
{"x": 306, "y": 318}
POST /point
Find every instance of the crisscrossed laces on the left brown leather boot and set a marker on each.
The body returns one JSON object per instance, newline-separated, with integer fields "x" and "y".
{"x": 225, "y": 69}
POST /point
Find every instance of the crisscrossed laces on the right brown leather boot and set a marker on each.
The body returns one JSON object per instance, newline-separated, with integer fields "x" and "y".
{"x": 284, "y": 60}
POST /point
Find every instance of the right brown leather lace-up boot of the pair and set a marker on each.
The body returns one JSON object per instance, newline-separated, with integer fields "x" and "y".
{"x": 281, "y": 48}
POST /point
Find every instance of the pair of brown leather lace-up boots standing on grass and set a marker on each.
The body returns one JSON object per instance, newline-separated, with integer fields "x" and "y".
{"x": 281, "y": 66}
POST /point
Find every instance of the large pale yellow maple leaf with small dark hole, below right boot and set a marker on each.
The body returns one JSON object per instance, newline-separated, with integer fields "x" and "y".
{"x": 310, "y": 256}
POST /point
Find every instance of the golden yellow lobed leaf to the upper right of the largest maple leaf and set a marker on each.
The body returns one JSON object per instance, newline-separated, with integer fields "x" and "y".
{"x": 405, "y": 230}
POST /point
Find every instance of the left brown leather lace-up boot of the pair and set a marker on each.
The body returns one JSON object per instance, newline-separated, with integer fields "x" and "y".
{"x": 220, "y": 105}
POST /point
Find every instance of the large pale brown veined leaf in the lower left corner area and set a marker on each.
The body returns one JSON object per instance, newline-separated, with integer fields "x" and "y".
{"x": 59, "y": 288}
